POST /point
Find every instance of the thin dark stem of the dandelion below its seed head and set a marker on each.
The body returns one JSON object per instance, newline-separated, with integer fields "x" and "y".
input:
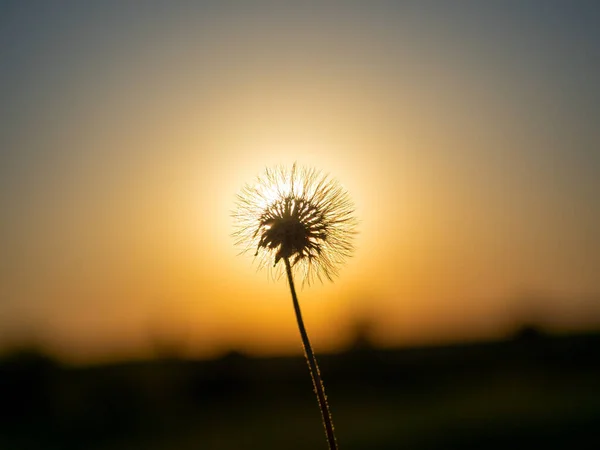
{"x": 312, "y": 364}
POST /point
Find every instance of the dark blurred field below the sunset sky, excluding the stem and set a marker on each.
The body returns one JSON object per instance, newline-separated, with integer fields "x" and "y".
{"x": 533, "y": 391}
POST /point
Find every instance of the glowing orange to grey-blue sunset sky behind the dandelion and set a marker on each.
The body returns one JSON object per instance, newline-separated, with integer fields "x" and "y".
{"x": 465, "y": 132}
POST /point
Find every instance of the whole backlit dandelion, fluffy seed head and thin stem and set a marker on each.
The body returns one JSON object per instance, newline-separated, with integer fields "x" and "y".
{"x": 304, "y": 219}
